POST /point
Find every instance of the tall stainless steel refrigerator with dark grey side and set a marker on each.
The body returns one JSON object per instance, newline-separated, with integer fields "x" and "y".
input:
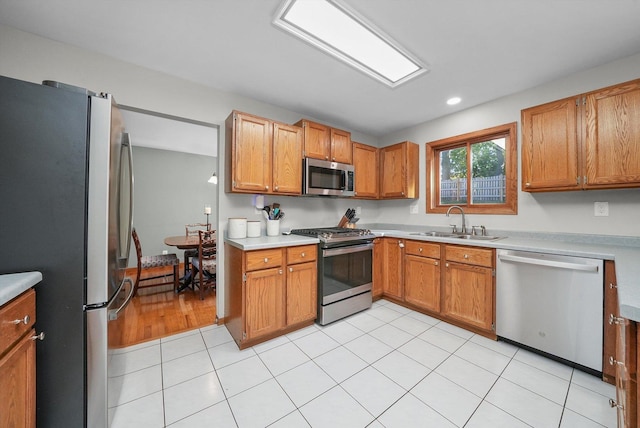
{"x": 66, "y": 189}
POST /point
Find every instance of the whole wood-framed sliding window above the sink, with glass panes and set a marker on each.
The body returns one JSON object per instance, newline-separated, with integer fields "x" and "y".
{"x": 483, "y": 161}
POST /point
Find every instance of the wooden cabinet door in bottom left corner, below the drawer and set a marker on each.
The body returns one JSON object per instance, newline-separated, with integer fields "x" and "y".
{"x": 18, "y": 385}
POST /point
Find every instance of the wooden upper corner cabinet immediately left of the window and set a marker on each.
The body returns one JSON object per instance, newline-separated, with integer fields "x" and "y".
{"x": 399, "y": 171}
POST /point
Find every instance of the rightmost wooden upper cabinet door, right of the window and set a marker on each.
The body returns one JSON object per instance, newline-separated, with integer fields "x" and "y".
{"x": 612, "y": 137}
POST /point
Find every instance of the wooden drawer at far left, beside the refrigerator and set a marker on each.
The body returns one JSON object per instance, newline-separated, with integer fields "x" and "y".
{"x": 21, "y": 309}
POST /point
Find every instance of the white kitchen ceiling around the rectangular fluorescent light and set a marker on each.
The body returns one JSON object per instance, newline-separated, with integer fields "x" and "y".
{"x": 478, "y": 50}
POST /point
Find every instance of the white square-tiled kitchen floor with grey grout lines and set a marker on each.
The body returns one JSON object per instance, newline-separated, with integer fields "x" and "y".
{"x": 385, "y": 367}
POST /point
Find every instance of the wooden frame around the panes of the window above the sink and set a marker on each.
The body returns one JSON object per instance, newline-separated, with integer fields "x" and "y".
{"x": 433, "y": 149}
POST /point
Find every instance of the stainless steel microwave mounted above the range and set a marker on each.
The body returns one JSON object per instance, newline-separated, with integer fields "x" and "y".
{"x": 326, "y": 178}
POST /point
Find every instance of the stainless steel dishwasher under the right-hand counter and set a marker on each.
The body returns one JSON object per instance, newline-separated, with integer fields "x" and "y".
{"x": 551, "y": 303}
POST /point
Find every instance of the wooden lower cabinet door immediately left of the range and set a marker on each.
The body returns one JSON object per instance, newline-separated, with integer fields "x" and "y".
{"x": 302, "y": 300}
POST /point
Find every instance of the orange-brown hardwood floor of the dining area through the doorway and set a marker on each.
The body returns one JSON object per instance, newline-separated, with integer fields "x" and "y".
{"x": 156, "y": 313}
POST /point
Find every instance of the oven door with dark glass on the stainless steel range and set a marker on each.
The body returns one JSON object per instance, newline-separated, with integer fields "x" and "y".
{"x": 343, "y": 274}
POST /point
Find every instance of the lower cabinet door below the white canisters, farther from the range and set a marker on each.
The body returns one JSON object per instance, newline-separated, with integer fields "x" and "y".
{"x": 264, "y": 302}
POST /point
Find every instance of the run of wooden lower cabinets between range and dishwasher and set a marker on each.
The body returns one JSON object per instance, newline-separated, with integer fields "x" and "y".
{"x": 452, "y": 282}
